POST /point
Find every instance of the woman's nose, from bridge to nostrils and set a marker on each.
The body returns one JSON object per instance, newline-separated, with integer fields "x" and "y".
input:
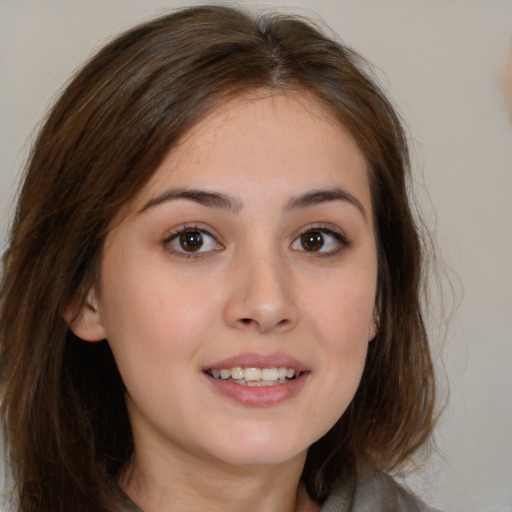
{"x": 261, "y": 296}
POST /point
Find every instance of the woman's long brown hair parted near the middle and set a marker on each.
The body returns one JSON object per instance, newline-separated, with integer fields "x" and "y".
{"x": 63, "y": 406}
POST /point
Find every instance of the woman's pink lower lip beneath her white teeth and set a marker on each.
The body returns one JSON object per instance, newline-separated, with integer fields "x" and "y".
{"x": 260, "y": 396}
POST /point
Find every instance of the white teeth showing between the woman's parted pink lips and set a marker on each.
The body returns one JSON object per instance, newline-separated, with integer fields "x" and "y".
{"x": 251, "y": 376}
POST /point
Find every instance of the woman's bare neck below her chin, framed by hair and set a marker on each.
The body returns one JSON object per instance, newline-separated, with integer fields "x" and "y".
{"x": 181, "y": 484}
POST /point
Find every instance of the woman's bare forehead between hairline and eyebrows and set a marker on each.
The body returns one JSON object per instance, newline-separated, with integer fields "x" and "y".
{"x": 261, "y": 142}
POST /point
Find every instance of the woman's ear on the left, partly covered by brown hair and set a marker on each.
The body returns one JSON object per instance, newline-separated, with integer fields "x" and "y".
{"x": 84, "y": 319}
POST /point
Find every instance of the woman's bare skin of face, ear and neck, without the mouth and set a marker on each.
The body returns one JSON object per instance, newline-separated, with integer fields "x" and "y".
{"x": 252, "y": 288}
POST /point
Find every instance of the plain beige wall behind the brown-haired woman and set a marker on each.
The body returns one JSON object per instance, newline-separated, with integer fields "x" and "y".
{"x": 439, "y": 61}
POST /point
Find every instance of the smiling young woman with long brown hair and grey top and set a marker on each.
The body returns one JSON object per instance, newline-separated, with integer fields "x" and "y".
{"x": 210, "y": 298}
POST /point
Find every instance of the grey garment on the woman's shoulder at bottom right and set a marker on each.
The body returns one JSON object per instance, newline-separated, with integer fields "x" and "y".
{"x": 374, "y": 492}
